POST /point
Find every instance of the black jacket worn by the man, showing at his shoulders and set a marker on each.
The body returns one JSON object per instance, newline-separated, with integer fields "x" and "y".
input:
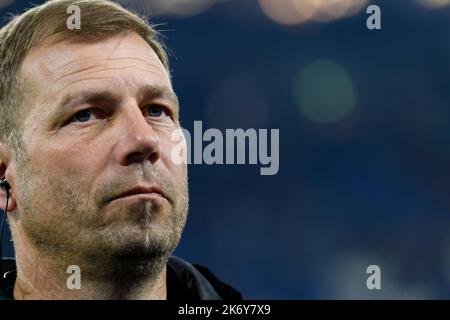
{"x": 185, "y": 282}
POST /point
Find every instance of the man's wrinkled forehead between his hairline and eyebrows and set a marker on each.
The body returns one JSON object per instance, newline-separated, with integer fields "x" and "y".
{"x": 54, "y": 68}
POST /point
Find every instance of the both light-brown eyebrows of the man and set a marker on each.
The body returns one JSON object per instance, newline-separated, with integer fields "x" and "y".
{"x": 92, "y": 96}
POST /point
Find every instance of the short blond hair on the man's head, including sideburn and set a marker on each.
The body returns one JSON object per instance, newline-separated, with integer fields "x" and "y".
{"x": 99, "y": 19}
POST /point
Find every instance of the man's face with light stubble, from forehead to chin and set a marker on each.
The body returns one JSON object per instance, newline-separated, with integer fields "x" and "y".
{"x": 99, "y": 124}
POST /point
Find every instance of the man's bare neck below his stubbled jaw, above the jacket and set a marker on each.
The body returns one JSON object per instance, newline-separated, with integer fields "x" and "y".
{"x": 40, "y": 276}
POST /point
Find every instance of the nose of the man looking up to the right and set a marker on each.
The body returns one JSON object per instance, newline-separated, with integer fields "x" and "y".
{"x": 138, "y": 141}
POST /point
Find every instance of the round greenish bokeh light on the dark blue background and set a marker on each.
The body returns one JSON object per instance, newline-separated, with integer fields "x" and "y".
{"x": 324, "y": 92}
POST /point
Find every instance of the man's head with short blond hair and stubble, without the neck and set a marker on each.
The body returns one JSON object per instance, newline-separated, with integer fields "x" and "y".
{"x": 87, "y": 116}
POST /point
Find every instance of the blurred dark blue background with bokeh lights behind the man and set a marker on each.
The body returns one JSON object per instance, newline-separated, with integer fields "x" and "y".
{"x": 364, "y": 127}
